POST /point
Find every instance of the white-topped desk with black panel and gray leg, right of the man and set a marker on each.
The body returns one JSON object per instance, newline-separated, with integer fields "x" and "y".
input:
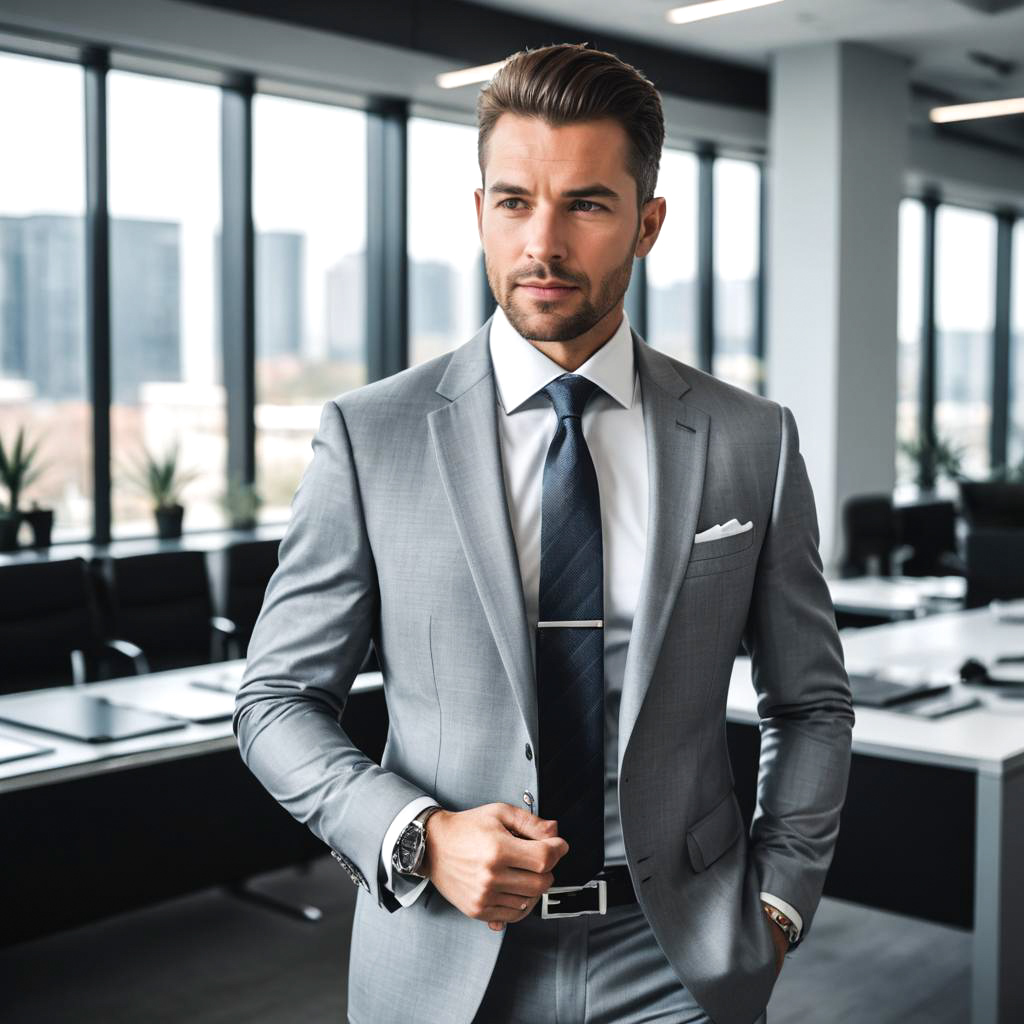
{"x": 934, "y": 821}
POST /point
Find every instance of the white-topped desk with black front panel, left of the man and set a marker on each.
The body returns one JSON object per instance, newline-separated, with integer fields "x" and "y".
{"x": 94, "y": 830}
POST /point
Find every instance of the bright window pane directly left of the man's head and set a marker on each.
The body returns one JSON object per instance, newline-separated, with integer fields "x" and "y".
{"x": 446, "y": 283}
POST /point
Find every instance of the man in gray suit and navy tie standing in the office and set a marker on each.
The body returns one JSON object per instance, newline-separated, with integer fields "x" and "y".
{"x": 558, "y": 539}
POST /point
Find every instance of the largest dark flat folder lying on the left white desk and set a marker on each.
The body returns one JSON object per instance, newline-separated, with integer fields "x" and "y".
{"x": 82, "y": 716}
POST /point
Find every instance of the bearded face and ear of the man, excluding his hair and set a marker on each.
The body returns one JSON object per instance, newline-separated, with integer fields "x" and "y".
{"x": 560, "y": 226}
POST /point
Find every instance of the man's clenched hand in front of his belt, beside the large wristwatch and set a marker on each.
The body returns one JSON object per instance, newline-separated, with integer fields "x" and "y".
{"x": 492, "y": 863}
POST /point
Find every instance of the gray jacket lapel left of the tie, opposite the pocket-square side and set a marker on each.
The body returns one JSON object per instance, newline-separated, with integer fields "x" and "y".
{"x": 466, "y": 447}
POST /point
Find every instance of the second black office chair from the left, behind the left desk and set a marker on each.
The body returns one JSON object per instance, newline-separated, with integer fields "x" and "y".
{"x": 162, "y": 604}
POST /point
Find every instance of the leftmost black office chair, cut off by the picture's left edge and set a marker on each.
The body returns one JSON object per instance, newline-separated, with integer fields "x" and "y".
{"x": 51, "y": 632}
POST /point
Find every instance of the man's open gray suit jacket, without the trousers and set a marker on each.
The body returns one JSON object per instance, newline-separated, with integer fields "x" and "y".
{"x": 400, "y": 533}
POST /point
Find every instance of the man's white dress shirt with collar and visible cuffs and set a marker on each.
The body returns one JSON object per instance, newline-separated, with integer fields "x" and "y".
{"x": 614, "y": 430}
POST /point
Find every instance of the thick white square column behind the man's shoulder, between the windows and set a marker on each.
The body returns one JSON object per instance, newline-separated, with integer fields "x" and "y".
{"x": 837, "y": 159}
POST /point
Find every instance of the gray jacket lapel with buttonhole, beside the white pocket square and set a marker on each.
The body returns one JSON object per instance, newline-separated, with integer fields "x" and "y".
{"x": 677, "y": 452}
